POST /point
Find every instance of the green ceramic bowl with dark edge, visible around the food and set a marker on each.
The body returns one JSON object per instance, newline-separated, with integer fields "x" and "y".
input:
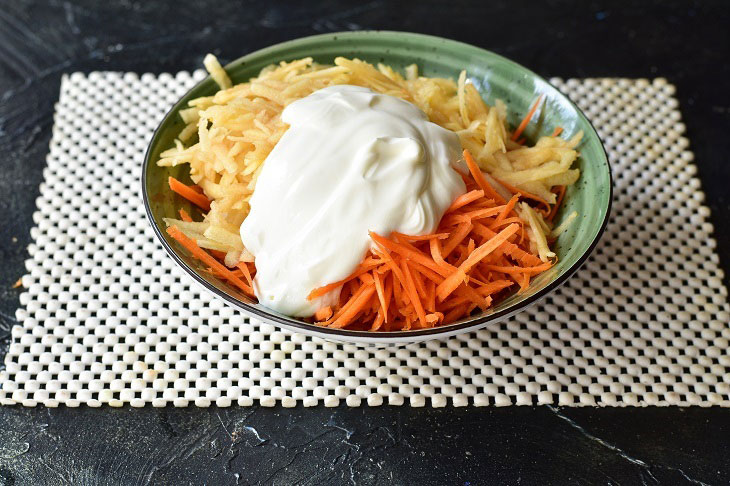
{"x": 494, "y": 76}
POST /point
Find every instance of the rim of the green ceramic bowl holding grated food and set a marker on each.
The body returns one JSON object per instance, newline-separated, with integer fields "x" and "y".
{"x": 368, "y": 336}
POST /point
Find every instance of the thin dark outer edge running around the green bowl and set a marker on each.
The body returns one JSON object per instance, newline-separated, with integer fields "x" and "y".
{"x": 367, "y": 335}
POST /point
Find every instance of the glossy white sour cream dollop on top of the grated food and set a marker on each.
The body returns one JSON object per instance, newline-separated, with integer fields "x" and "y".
{"x": 352, "y": 161}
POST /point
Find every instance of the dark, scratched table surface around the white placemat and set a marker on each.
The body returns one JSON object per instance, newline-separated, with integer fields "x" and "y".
{"x": 686, "y": 42}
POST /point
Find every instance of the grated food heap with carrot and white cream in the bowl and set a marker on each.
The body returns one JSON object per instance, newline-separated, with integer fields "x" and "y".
{"x": 341, "y": 193}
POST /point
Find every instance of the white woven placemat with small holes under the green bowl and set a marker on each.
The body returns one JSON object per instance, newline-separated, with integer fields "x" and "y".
{"x": 107, "y": 317}
